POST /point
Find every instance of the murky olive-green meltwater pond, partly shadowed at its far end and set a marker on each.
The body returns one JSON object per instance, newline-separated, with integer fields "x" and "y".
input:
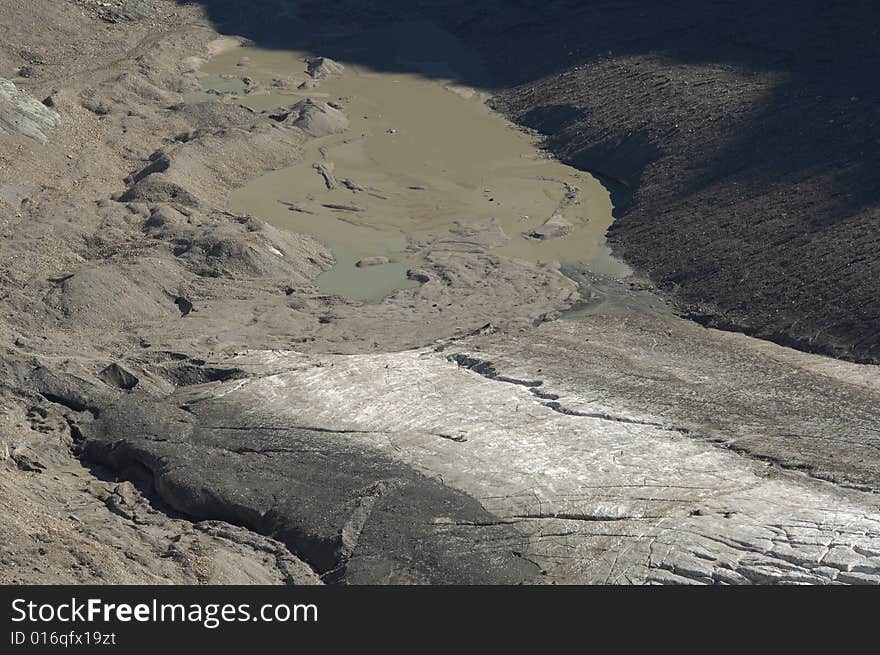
{"x": 422, "y": 156}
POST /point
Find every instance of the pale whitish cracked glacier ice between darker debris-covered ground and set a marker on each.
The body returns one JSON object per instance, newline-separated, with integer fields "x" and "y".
{"x": 600, "y": 500}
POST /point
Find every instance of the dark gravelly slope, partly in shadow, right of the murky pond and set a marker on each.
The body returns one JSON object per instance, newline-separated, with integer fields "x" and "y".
{"x": 742, "y": 138}
